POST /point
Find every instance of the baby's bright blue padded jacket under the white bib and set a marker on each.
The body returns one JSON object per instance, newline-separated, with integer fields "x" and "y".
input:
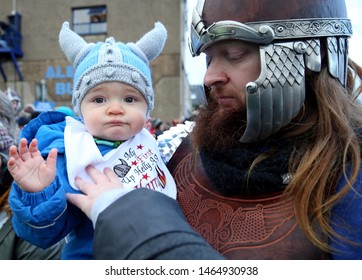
{"x": 45, "y": 217}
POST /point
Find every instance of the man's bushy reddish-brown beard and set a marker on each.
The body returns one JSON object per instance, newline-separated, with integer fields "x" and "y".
{"x": 217, "y": 129}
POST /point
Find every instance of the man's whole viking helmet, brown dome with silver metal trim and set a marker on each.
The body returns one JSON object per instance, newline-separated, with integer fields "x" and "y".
{"x": 291, "y": 35}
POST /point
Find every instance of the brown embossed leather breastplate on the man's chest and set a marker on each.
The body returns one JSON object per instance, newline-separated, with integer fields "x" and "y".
{"x": 239, "y": 227}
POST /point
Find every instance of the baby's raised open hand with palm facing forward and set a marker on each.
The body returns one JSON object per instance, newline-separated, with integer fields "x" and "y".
{"x": 29, "y": 169}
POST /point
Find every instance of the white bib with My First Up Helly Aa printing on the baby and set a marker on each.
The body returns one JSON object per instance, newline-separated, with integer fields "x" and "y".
{"x": 137, "y": 161}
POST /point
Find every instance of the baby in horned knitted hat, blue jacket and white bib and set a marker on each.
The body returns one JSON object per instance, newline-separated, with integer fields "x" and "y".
{"x": 113, "y": 97}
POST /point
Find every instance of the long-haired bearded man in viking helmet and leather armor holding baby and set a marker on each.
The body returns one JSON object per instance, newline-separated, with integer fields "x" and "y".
{"x": 271, "y": 168}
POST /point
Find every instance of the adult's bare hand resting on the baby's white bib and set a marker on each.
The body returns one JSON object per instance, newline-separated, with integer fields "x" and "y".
{"x": 103, "y": 182}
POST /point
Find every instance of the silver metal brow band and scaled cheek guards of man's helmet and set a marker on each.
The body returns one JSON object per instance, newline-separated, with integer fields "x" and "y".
{"x": 287, "y": 48}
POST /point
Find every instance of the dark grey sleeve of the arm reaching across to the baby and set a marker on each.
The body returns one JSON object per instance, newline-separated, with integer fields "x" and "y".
{"x": 134, "y": 219}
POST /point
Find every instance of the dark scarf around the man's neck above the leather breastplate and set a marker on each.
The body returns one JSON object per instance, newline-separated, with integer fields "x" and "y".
{"x": 229, "y": 169}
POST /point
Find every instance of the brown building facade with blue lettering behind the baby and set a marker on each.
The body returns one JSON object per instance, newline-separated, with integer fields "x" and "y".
{"x": 42, "y": 74}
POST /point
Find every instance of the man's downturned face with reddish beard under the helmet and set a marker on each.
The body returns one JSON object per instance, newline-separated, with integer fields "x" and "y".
{"x": 230, "y": 66}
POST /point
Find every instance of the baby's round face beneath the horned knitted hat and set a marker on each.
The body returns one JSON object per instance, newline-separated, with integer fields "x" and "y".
{"x": 114, "y": 111}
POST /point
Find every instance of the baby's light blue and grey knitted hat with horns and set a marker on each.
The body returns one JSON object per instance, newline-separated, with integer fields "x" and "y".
{"x": 110, "y": 61}
